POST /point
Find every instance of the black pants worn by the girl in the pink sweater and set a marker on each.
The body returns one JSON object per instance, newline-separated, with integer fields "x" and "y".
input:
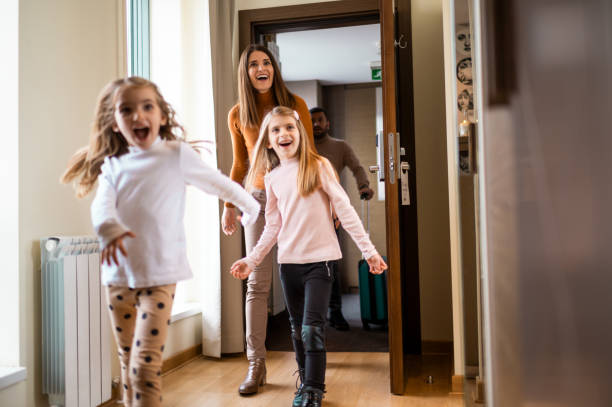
{"x": 307, "y": 289}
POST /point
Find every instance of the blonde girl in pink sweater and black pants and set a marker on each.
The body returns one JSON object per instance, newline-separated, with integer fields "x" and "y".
{"x": 301, "y": 188}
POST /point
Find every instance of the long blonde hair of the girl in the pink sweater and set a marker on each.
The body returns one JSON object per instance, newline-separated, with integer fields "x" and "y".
{"x": 265, "y": 159}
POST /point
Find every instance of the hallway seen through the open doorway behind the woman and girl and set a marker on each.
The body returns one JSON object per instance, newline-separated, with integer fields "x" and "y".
{"x": 332, "y": 69}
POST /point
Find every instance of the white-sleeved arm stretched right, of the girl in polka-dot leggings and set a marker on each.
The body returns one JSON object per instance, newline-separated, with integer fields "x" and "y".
{"x": 211, "y": 181}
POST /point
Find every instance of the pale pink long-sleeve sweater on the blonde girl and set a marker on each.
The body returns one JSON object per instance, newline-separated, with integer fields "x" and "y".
{"x": 303, "y": 226}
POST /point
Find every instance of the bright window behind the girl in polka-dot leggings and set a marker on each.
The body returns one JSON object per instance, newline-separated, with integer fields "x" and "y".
{"x": 170, "y": 44}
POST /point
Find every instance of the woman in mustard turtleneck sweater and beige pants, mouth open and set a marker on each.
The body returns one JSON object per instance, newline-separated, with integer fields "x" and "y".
{"x": 260, "y": 89}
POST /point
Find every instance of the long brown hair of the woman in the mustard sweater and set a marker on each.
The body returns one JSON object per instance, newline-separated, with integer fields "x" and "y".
{"x": 246, "y": 93}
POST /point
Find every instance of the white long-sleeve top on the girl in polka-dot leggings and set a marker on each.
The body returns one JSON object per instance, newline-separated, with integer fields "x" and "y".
{"x": 143, "y": 191}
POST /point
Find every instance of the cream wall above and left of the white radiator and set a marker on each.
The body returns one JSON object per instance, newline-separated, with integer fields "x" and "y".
{"x": 68, "y": 49}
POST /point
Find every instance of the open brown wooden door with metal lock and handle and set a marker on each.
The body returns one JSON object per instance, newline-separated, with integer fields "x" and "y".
{"x": 402, "y": 235}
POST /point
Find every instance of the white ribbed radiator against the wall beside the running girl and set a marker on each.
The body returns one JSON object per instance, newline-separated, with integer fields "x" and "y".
{"x": 76, "y": 337}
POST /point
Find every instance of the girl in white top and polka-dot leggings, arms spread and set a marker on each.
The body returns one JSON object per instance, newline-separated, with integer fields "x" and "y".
{"x": 142, "y": 169}
